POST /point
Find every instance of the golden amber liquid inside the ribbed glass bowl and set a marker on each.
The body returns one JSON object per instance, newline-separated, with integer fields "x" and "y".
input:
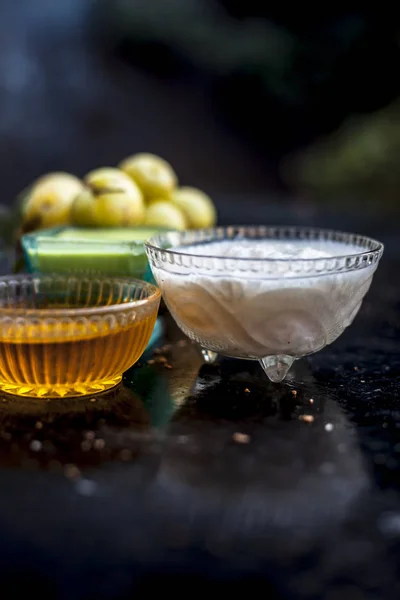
{"x": 80, "y": 366}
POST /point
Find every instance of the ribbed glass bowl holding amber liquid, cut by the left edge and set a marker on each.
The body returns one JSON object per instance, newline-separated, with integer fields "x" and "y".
{"x": 70, "y": 336}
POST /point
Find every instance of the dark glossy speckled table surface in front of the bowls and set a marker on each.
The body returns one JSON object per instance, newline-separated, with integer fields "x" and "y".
{"x": 192, "y": 477}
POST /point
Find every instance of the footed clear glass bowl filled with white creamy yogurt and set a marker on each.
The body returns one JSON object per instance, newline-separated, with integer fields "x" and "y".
{"x": 272, "y": 294}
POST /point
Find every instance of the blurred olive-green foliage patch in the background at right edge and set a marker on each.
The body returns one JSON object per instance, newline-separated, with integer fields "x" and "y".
{"x": 361, "y": 158}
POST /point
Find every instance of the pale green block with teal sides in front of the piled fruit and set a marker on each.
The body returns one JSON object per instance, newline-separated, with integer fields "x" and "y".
{"x": 113, "y": 251}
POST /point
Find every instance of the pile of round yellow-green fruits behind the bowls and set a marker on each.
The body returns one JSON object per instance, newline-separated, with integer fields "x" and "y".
{"x": 142, "y": 190}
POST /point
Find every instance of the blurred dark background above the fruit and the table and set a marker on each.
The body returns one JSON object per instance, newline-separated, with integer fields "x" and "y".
{"x": 242, "y": 97}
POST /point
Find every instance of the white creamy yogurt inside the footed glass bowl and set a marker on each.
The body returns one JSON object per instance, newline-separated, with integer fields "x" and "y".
{"x": 245, "y": 315}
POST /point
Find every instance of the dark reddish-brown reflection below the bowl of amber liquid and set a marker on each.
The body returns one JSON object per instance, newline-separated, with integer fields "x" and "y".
{"x": 72, "y": 435}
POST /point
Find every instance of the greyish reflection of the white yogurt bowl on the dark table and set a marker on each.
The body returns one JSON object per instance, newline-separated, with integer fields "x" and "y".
{"x": 247, "y": 476}
